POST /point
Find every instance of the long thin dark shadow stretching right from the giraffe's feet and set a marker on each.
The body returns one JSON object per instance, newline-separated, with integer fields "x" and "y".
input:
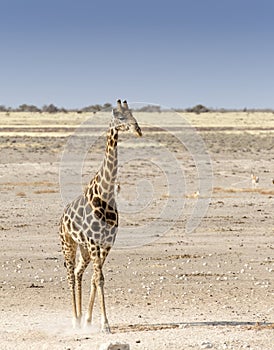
{"x": 163, "y": 326}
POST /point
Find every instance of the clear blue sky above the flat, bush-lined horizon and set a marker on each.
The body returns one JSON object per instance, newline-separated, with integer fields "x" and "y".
{"x": 174, "y": 53}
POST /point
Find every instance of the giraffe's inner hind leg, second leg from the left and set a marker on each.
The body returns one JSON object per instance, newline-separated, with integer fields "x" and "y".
{"x": 84, "y": 260}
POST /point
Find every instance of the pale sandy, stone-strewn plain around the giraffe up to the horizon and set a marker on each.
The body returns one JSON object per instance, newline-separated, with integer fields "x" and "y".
{"x": 166, "y": 287}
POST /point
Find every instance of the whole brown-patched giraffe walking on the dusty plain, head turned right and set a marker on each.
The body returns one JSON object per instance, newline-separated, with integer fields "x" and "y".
{"x": 90, "y": 222}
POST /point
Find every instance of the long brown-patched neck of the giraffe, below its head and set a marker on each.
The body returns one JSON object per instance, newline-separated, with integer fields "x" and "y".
{"x": 103, "y": 184}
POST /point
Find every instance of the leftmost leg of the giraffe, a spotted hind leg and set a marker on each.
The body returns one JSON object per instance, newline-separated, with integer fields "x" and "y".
{"x": 69, "y": 248}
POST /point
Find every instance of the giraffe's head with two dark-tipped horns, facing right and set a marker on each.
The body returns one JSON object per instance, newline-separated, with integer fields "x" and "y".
{"x": 123, "y": 119}
